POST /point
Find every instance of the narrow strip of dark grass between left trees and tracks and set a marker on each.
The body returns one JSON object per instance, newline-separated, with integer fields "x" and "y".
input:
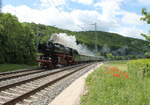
{"x": 12, "y": 67}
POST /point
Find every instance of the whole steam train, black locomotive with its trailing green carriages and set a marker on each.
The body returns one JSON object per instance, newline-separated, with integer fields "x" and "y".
{"x": 54, "y": 54}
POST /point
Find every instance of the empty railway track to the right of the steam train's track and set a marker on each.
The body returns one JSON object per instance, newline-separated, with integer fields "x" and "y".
{"x": 13, "y": 93}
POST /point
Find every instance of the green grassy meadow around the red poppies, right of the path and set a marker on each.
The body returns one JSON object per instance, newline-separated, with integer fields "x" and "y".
{"x": 105, "y": 89}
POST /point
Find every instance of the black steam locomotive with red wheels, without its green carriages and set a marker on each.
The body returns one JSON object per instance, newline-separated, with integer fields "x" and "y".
{"x": 54, "y": 54}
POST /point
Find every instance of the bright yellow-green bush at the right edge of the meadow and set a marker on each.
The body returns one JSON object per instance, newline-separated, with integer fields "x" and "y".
{"x": 139, "y": 67}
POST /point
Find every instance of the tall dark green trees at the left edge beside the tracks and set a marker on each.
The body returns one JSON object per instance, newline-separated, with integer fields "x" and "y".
{"x": 16, "y": 41}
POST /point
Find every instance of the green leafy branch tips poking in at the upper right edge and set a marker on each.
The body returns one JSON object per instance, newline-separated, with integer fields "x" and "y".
{"x": 146, "y": 17}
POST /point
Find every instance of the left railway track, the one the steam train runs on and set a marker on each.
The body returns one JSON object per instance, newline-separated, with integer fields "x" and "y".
{"x": 17, "y": 77}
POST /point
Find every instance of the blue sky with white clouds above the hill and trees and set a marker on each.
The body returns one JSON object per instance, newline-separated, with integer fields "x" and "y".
{"x": 119, "y": 16}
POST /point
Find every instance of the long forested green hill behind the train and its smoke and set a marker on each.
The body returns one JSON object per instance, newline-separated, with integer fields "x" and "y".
{"x": 107, "y": 42}
